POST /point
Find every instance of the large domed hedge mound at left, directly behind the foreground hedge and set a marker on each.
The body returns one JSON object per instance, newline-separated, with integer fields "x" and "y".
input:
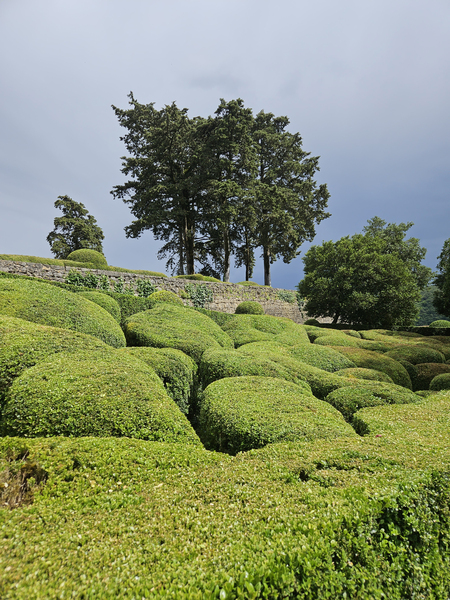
{"x": 93, "y": 393}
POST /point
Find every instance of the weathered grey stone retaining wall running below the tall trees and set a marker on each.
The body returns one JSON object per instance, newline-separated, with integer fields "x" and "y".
{"x": 226, "y": 296}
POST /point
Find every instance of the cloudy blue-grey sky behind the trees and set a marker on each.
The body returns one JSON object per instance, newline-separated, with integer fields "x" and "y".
{"x": 365, "y": 82}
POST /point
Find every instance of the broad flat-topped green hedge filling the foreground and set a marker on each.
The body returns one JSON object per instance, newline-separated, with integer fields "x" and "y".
{"x": 123, "y": 518}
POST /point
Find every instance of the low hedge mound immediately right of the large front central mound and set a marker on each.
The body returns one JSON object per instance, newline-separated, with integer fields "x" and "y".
{"x": 369, "y": 393}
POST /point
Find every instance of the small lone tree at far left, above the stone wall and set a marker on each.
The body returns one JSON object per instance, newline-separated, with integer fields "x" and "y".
{"x": 75, "y": 230}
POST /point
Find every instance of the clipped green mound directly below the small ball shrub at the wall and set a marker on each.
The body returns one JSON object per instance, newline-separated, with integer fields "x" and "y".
{"x": 245, "y": 329}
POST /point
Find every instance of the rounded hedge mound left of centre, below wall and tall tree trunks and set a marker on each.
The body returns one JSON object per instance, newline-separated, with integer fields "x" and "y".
{"x": 171, "y": 326}
